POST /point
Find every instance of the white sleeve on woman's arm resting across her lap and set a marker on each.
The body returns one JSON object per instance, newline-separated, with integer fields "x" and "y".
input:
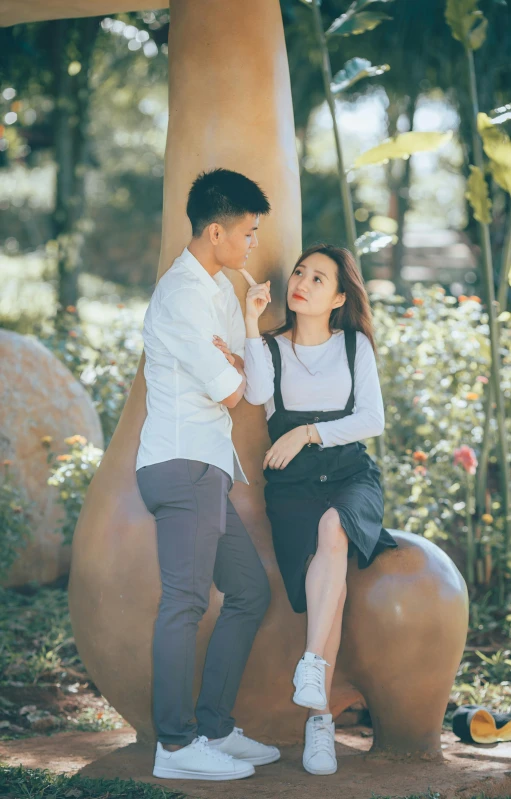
{"x": 368, "y": 418}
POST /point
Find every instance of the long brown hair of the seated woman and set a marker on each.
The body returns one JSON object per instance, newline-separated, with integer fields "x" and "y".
{"x": 355, "y": 314}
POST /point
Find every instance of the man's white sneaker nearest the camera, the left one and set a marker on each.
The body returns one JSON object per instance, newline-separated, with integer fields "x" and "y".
{"x": 198, "y": 761}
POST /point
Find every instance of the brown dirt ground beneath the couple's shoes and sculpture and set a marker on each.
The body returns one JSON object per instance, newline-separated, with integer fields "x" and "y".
{"x": 465, "y": 772}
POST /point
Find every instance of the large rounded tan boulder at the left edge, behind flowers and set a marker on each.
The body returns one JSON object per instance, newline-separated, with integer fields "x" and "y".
{"x": 40, "y": 397}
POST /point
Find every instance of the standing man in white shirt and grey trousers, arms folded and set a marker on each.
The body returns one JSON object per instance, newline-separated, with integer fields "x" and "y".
{"x": 186, "y": 465}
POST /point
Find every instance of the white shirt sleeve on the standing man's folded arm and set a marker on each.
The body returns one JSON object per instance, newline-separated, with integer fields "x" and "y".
{"x": 184, "y": 326}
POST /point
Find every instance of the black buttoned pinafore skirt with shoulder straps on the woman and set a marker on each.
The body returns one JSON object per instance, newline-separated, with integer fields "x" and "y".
{"x": 341, "y": 477}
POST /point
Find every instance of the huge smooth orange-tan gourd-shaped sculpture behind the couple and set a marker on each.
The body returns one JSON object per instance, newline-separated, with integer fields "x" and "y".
{"x": 405, "y": 620}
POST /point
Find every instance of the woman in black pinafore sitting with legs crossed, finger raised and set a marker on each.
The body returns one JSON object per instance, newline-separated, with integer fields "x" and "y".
{"x": 316, "y": 376}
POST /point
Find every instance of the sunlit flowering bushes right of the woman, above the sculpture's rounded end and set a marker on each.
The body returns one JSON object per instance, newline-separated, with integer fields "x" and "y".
{"x": 434, "y": 370}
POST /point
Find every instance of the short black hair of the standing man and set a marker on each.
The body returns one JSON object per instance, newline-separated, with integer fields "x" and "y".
{"x": 220, "y": 195}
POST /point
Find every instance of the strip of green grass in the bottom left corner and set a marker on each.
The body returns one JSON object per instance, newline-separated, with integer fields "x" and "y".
{"x": 25, "y": 783}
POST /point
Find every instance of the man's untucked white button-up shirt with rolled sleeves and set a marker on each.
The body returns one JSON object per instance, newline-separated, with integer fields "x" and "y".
{"x": 186, "y": 375}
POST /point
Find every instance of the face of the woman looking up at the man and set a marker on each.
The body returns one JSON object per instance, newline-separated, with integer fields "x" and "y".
{"x": 313, "y": 287}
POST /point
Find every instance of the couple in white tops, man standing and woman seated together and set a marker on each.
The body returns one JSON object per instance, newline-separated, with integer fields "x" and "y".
{"x": 323, "y": 494}
